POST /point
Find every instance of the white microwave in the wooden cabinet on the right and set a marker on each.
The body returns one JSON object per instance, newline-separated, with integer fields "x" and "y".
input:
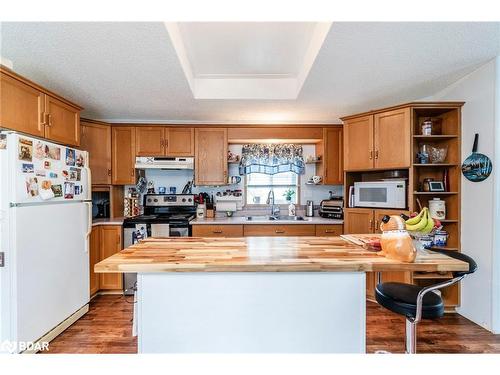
{"x": 380, "y": 194}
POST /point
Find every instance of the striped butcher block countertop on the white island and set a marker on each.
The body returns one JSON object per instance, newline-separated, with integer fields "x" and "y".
{"x": 262, "y": 254}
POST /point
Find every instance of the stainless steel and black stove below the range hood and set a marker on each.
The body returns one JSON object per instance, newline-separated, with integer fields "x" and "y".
{"x": 165, "y": 215}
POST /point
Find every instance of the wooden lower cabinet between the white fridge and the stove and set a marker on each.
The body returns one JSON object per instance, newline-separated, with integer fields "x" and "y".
{"x": 105, "y": 240}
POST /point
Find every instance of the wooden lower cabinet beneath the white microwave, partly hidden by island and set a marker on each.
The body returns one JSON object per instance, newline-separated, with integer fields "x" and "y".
{"x": 367, "y": 220}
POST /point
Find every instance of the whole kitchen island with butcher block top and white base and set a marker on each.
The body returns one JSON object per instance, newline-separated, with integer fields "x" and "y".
{"x": 255, "y": 294}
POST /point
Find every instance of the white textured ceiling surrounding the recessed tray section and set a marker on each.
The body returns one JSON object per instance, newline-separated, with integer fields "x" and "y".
{"x": 131, "y": 72}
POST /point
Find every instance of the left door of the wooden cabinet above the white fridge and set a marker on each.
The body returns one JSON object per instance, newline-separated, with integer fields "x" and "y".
{"x": 21, "y": 107}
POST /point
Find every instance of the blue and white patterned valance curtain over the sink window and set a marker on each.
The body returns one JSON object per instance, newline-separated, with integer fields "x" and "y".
{"x": 271, "y": 159}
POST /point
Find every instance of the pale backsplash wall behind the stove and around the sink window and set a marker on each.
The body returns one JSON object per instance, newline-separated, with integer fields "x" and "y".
{"x": 178, "y": 178}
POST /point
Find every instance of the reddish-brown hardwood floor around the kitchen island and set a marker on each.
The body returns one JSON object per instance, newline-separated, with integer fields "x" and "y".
{"x": 107, "y": 328}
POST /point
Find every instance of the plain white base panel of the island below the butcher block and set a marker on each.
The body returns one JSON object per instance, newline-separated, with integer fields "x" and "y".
{"x": 251, "y": 312}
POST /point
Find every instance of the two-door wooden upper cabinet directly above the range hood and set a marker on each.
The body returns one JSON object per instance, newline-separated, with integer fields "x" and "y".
{"x": 164, "y": 141}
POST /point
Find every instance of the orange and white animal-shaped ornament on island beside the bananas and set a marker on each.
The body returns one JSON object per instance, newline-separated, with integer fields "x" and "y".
{"x": 395, "y": 241}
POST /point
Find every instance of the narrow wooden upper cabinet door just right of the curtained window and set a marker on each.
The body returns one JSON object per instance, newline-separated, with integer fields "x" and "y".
{"x": 333, "y": 159}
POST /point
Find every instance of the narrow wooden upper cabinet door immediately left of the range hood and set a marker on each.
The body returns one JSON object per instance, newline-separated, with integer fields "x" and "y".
{"x": 123, "y": 155}
